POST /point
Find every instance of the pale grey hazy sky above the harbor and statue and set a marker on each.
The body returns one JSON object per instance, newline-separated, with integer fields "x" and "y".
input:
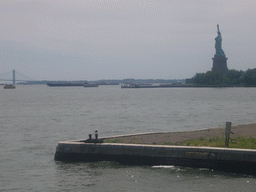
{"x": 117, "y": 39}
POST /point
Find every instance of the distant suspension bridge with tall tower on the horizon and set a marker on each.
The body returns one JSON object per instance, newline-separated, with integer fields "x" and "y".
{"x": 14, "y": 76}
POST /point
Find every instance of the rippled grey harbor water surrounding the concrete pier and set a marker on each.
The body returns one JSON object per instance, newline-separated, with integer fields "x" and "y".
{"x": 33, "y": 119}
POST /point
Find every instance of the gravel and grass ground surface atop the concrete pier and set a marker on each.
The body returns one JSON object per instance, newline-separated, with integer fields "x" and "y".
{"x": 244, "y": 137}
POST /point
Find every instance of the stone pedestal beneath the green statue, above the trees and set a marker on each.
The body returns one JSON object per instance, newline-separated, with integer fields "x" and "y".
{"x": 220, "y": 63}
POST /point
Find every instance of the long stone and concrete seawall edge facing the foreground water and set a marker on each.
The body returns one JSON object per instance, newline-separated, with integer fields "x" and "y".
{"x": 232, "y": 160}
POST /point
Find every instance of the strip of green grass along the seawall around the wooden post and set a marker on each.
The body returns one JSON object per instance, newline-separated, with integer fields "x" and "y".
{"x": 239, "y": 142}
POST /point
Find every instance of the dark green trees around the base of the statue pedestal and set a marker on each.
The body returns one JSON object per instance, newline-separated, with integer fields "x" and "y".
{"x": 232, "y": 77}
